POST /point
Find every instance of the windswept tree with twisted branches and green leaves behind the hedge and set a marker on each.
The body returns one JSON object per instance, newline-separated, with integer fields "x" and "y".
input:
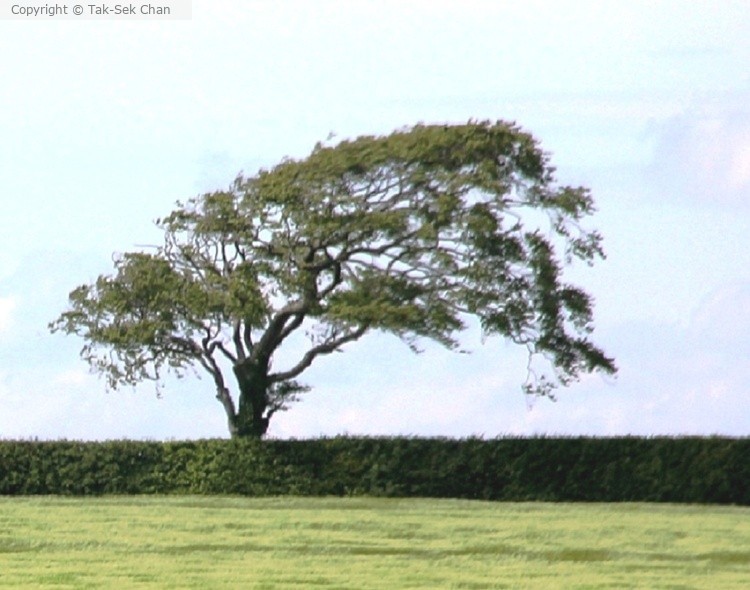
{"x": 413, "y": 233}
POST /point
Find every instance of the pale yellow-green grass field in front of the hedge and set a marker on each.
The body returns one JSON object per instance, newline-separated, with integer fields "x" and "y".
{"x": 359, "y": 543}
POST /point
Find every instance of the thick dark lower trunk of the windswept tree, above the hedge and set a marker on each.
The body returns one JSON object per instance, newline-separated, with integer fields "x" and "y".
{"x": 251, "y": 420}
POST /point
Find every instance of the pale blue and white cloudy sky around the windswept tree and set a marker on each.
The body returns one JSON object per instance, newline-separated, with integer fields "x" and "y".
{"x": 104, "y": 125}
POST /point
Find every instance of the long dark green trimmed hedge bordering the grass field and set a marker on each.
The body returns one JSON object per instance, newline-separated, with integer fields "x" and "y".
{"x": 627, "y": 469}
